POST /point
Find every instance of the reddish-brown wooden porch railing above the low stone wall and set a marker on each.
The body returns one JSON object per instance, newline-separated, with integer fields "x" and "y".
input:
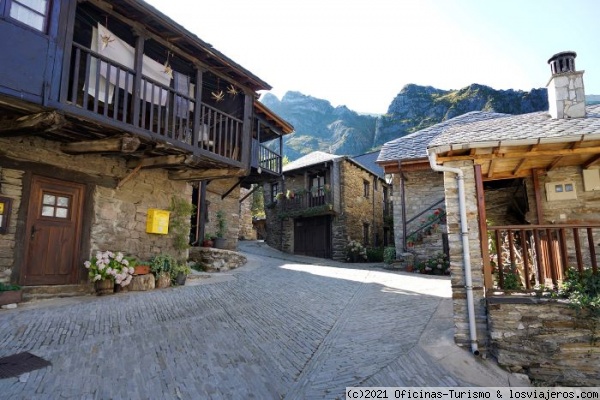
{"x": 525, "y": 257}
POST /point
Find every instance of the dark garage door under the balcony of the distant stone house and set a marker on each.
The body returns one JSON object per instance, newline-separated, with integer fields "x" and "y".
{"x": 312, "y": 236}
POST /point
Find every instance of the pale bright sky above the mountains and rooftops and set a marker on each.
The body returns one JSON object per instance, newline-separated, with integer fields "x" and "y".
{"x": 360, "y": 53}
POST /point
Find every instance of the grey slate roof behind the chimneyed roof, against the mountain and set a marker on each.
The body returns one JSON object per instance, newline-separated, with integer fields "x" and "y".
{"x": 414, "y": 146}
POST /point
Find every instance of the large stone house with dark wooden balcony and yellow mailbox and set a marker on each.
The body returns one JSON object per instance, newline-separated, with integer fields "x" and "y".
{"x": 108, "y": 110}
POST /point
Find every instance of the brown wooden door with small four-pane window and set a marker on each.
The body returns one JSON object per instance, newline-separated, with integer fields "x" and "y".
{"x": 53, "y": 232}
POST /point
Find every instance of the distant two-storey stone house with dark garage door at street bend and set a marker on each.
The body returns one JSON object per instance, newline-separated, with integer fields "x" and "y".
{"x": 323, "y": 202}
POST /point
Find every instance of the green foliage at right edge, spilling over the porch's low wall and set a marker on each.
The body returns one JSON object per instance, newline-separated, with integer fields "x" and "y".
{"x": 582, "y": 290}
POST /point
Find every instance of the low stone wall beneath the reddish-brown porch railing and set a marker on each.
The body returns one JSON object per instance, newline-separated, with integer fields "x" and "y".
{"x": 547, "y": 340}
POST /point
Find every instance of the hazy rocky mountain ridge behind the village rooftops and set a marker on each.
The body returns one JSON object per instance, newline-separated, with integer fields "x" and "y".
{"x": 339, "y": 130}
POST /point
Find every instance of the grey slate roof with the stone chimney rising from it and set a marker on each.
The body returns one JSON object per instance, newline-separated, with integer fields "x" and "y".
{"x": 521, "y": 129}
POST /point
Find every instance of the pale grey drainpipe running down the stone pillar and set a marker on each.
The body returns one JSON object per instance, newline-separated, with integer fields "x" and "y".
{"x": 464, "y": 232}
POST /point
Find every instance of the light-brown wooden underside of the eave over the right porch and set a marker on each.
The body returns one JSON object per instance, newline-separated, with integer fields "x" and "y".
{"x": 517, "y": 161}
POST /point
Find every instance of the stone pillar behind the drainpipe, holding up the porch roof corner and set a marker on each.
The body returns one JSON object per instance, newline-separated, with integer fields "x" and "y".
{"x": 457, "y": 268}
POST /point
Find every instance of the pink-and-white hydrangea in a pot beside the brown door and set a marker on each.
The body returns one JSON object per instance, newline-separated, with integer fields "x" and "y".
{"x": 107, "y": 269}
